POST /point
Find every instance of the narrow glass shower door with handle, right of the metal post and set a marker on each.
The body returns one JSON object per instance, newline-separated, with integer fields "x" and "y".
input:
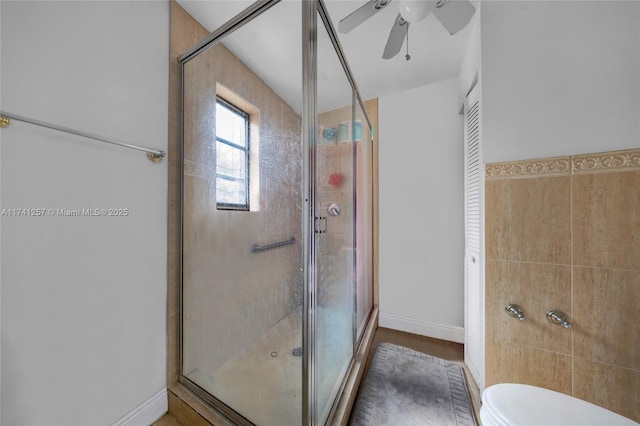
{"x": 335, "y": 227}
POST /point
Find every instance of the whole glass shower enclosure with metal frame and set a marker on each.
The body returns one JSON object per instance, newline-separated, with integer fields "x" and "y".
{"x": 276, "y": 211}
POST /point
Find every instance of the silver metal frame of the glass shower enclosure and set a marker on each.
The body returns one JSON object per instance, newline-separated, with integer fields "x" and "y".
{"x": 311, "y": 9}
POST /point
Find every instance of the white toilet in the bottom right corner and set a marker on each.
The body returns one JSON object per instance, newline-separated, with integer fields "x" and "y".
{"x": 510, "y": 404}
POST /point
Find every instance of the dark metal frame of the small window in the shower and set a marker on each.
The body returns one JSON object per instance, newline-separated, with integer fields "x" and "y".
{"x": 245, "y": 149}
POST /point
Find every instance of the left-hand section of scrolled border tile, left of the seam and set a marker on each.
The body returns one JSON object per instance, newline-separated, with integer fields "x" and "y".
{"x": 541, "y": 167}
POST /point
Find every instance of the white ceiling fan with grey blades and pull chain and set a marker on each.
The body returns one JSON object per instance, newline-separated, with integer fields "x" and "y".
{"x": 454, "y": 15}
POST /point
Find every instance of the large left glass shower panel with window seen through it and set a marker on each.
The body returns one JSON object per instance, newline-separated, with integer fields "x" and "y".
{"x": 242, "y": 284}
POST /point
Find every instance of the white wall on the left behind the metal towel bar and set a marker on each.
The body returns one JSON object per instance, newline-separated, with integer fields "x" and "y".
{"x": 83, "y": 298}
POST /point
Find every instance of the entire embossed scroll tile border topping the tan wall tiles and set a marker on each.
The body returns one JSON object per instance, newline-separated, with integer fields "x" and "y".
{"x": 556, "y": 166}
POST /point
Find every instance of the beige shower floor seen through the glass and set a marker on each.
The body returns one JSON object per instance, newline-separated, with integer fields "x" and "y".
{"x": 264, "y": 383}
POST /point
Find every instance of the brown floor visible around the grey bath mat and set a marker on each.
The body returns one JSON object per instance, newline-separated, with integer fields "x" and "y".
{"x": 447, "y": 350}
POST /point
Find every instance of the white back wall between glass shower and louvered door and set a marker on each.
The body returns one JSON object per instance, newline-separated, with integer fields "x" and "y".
{"x": 421, "y": 211}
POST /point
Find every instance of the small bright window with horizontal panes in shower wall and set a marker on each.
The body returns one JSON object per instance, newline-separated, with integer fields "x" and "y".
{"x": 232, "y": 161}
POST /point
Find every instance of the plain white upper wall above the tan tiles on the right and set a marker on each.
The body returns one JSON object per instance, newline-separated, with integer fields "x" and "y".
{"x": 559, "y": 77}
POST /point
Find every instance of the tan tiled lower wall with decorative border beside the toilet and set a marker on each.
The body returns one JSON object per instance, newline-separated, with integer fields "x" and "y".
{"x": 564, "y": 233}
